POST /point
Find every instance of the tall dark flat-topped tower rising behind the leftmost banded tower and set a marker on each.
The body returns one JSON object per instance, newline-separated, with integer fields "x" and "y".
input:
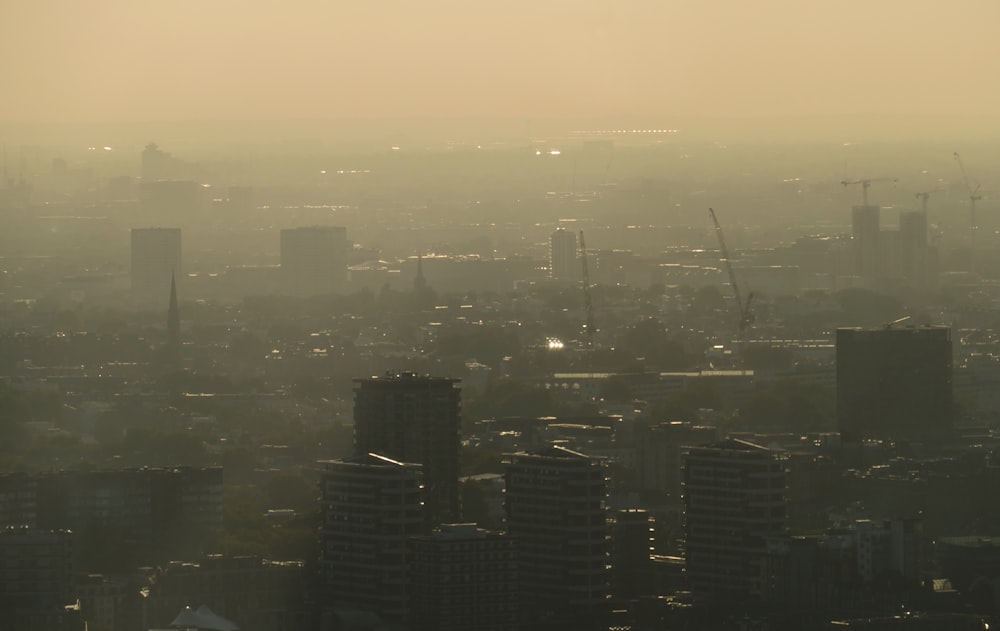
{"x": 414, "y": 418}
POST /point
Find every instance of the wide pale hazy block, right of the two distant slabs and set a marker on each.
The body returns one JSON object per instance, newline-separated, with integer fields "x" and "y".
{"x": 314, "y": 259}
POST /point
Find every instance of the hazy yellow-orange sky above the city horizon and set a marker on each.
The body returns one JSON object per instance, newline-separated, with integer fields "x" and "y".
{"x": 136, "y": 60}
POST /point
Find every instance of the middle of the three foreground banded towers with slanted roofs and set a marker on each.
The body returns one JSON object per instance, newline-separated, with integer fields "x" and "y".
{"x": 555, "y": 504}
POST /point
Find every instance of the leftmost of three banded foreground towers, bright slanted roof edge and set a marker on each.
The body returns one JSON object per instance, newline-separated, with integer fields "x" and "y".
{"x": 371, "y": 505}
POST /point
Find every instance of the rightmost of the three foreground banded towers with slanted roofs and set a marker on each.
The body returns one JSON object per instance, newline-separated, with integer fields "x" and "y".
{"x": 734, "y": 498}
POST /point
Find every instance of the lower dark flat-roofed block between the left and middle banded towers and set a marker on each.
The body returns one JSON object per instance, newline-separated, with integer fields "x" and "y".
{"x": 463, "y": 577}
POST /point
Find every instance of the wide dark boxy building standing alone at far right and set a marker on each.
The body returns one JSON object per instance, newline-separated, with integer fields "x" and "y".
{"x": 894, "y": 382}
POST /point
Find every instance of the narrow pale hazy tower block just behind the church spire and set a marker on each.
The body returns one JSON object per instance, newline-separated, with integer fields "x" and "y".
{"x": 156, "y": 260}
